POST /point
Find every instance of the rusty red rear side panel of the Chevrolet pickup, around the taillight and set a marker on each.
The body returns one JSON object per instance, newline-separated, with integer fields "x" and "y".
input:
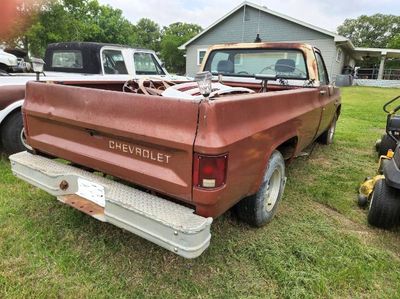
{"x": 249, "y": 128}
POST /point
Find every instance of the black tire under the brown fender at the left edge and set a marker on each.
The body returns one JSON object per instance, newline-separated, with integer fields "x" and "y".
{"x": 11, "y": 134}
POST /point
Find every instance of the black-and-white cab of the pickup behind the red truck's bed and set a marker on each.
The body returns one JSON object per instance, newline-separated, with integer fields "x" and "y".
{"x": 111, "y": 61}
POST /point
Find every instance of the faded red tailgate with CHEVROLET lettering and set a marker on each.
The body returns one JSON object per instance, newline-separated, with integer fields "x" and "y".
{"x": 141, "y": 139}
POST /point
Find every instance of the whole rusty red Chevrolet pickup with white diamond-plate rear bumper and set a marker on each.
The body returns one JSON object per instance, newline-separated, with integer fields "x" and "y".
{"x": 162, "y": 160}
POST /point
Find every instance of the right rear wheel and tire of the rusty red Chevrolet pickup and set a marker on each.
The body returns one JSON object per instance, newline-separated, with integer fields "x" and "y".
{"x": 259, "y": 209}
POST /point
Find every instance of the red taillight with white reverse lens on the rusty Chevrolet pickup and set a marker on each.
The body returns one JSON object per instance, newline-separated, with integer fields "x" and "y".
{"x": 209, "y": 171}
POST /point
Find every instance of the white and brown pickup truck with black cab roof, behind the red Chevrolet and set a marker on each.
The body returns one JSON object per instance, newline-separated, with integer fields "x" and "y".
{"x": 91, "y": 63}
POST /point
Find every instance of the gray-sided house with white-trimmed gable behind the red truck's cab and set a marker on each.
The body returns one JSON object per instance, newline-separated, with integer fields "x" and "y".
{"x": 244, "y": 22}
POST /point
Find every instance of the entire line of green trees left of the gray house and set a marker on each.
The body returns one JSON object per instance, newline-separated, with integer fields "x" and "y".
{"x": 41, "y": 22}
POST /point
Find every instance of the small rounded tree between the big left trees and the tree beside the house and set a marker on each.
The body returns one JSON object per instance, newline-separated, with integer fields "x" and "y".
{"x": 148, "y": 34}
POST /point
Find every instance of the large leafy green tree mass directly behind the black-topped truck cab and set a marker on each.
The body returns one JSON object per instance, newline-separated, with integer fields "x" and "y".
{"x": 74, "y": 20}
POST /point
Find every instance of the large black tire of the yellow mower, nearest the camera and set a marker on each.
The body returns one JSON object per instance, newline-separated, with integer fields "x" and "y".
{"x": 384, "y": 209}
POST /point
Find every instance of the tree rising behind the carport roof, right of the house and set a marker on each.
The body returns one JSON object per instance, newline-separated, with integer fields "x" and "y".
{"x": 371, "y": 31}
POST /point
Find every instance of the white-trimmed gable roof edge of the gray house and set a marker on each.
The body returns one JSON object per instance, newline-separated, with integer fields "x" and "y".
{"x": 337, "y": 38}
